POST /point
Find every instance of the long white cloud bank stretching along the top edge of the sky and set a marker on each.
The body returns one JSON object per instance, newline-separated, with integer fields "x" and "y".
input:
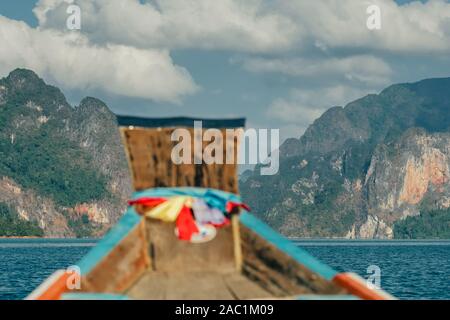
{"x": 259, "y": 25}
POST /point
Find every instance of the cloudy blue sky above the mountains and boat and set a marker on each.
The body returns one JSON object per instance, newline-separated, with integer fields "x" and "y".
{"x": 278, "y": 63}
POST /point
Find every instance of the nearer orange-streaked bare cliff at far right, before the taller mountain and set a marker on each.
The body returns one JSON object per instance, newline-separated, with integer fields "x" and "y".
{"x": 405, "y": 177}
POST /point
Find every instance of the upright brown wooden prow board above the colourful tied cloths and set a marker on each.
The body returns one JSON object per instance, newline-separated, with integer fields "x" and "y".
{"x": 149, "y": 155}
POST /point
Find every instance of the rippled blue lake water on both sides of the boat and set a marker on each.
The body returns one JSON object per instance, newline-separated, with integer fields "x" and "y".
{"x": 409, "y": 269}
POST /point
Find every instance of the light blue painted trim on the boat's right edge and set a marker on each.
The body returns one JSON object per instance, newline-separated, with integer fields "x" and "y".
{"x": 287, "y": 246}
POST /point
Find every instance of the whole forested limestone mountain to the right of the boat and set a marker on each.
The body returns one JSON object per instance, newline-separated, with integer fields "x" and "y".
{"x": 359, "y": 170}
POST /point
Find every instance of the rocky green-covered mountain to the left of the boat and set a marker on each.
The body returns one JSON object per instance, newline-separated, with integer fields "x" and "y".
{"x": 61, "y": 167}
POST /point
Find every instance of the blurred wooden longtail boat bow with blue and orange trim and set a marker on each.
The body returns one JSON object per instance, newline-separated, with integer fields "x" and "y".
{"x": 142, "y": 257}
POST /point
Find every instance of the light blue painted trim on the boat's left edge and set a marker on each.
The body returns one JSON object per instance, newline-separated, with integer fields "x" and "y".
{"x": 127, "y": 223}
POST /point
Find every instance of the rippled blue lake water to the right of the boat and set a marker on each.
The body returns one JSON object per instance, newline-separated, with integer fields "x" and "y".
{"x": 409, "y": 269}
